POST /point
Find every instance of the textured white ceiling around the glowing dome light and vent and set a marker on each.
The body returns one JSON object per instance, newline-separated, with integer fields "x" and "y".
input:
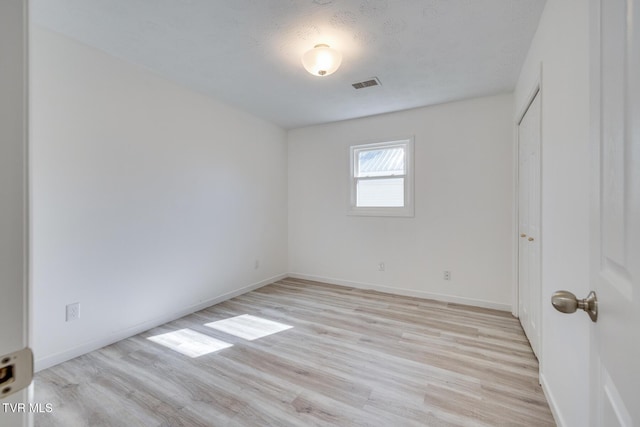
{"x": 247, "y": 52}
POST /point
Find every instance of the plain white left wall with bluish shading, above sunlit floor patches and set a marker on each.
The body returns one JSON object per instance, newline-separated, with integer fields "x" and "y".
{"x": 149, "y": 200}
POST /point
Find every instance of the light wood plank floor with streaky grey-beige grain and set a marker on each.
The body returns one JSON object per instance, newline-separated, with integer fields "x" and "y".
{"x": 352, "y": 358}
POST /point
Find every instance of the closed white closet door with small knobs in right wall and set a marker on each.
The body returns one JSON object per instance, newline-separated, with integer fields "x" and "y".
{"x": 529, "y": 223}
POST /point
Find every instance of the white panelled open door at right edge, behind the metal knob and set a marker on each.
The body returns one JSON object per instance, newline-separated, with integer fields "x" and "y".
{"x": 615, "y": 275}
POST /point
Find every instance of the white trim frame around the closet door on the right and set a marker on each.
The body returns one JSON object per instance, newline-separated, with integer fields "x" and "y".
{"x": 536, "y": 89}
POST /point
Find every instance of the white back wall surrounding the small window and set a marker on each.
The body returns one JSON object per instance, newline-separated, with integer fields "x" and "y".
{"x": 463, "y": 205}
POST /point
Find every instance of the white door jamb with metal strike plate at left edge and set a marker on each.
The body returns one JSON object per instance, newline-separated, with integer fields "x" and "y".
{"x": 13, "y": 212}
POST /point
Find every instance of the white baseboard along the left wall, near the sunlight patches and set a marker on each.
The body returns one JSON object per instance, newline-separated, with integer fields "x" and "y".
{"x": 49, "y": 361}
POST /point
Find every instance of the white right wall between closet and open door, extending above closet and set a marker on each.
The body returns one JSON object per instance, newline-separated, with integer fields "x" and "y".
{"x": 561, "y": 44}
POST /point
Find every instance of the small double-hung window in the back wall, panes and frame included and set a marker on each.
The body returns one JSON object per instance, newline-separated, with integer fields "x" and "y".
{"x": 382, "y": 179}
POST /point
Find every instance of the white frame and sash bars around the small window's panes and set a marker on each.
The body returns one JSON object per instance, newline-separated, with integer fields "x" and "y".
{"x": 401, "y": 211}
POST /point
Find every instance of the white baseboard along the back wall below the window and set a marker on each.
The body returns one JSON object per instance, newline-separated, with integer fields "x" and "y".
{"x": 406, "y": 292}
